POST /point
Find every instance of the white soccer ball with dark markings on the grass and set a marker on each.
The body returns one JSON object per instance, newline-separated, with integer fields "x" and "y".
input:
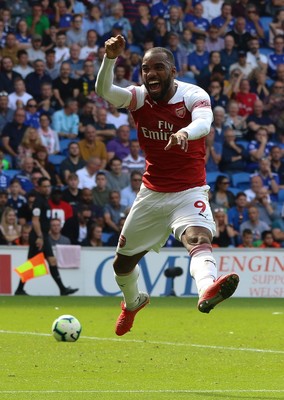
{"x": 66, "y": 328}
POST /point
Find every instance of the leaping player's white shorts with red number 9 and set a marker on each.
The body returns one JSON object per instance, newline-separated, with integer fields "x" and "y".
{"x": 155, "y": 215}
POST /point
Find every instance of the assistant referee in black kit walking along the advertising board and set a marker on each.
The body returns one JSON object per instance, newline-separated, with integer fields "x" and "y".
{"x": 39, "y": 239}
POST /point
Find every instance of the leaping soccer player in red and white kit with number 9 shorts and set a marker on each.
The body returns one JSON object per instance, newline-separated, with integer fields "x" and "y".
{"x": 173, "y": 119}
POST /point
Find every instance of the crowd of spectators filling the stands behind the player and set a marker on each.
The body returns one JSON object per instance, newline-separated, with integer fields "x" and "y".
{"x": 53, "y": 124}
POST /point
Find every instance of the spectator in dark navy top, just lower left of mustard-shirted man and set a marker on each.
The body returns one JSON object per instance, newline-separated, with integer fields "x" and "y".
{"x": 72, "y": 163}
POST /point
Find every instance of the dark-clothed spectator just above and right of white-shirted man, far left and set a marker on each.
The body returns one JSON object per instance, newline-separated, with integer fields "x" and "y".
{"x": 35, "y": 79}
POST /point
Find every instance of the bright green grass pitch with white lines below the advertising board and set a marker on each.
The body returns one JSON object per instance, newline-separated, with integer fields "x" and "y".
{"x": 173, "y": 352}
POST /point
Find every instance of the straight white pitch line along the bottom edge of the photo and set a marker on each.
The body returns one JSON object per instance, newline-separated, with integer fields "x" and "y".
{"x": 145, "y": 391}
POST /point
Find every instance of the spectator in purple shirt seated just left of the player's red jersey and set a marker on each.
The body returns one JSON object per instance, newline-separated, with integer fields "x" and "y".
{"x": 120, "y": 146}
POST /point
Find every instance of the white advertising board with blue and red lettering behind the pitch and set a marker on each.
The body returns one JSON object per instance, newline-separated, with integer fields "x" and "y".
{"x": 261, "y": 272}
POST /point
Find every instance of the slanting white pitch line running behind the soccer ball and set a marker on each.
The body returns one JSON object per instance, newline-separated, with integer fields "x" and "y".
{"x": 156, "y": 342}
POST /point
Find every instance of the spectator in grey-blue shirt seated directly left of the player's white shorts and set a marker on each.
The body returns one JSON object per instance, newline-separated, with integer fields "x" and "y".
{"x": 113, "y": 211}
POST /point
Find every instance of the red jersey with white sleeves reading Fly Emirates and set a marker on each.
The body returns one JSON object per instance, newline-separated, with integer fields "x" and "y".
{"x": 167, "y": 171}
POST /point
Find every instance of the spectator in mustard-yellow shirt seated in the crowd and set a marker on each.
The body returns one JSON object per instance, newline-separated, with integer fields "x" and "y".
{"x": 90, "y": 146}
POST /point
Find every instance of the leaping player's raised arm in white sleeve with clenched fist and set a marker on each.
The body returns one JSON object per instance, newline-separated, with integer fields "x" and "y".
{"x": 105, "y": 88}
